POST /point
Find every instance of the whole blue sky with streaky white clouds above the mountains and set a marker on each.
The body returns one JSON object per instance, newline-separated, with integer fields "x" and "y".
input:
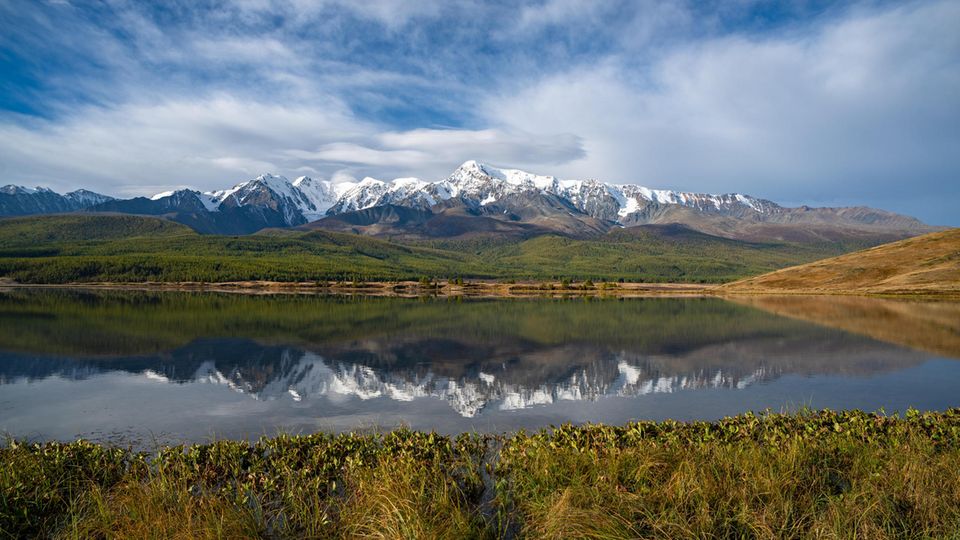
{"x": 820, "y": 103}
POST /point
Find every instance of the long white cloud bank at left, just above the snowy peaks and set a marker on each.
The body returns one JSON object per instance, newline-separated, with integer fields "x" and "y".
{"x": 133, "y": 149}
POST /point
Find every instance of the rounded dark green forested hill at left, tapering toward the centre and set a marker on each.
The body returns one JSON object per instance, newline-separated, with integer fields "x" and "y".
{"x": 60, "y": 249}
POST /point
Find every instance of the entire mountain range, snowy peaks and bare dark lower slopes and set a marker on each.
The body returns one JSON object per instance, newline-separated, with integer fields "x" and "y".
{"x": 476, "y": 199}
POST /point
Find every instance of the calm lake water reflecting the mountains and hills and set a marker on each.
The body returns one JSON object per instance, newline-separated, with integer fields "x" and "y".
{"x": 160, "y": 367}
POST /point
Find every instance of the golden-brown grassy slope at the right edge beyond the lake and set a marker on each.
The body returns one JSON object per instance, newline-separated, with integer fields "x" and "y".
{"x": 928, "y": 264}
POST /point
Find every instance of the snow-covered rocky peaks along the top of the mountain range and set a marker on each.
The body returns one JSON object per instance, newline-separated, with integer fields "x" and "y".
{"x": 473, "y": 184}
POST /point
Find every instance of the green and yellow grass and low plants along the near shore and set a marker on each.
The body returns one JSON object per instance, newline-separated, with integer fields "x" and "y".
{"x": 810, "y": 474}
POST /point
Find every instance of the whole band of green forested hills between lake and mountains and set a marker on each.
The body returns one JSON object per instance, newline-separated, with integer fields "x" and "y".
{"x": 124, "y": 248}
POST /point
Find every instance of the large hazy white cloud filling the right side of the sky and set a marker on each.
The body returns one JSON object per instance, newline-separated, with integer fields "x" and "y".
{"x": 867, "y": 104}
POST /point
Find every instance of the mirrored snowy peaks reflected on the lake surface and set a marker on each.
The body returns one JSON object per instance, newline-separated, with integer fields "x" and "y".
{"x": 312, "y": 376}
